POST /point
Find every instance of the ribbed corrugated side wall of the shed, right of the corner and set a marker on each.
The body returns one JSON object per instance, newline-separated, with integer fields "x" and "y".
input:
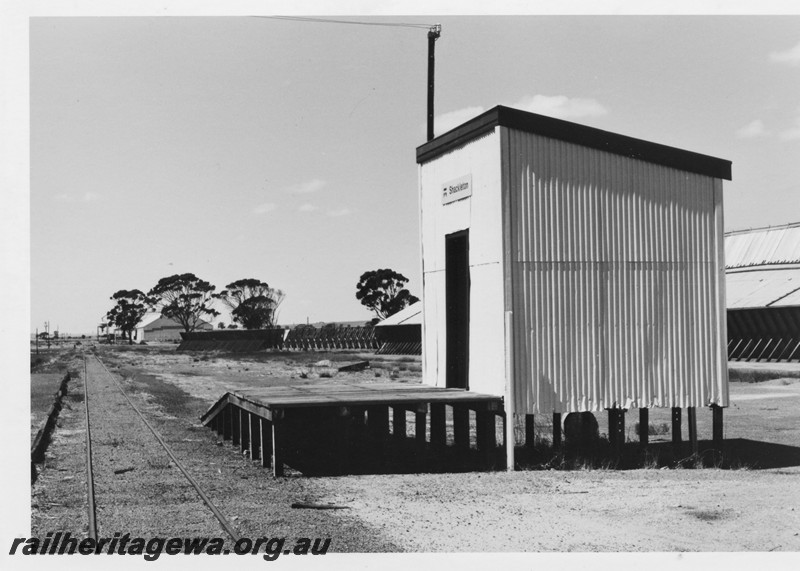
{"x": 617, "y": 280}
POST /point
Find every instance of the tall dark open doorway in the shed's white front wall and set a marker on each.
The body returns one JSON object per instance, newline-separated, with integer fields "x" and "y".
{"x": 457, "y": 291}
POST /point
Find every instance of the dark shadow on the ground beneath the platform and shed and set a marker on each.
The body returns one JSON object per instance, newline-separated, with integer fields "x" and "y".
{"x": 321, "y": 453}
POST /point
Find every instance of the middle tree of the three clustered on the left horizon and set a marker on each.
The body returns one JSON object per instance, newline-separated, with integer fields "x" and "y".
{"x": 185, "y": 299}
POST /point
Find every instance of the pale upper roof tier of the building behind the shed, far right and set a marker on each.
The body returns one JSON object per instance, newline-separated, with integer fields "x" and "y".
{"x": 763, "y": 246}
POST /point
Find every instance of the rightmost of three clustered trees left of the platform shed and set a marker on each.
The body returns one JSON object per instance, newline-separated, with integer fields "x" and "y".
{"x": 253, "y": 303}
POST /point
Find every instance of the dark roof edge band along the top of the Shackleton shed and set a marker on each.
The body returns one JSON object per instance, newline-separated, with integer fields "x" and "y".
{"x": 574, "y": 133}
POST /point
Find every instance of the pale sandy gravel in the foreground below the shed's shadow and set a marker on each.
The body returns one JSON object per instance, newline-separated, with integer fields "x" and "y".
{"x": 602, "y": 510}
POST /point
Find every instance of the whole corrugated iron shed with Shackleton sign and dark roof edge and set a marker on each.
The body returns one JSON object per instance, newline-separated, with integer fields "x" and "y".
{"x": 595, "y": 266}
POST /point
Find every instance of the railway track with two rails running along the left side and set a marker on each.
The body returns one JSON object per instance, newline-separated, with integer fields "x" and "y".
{"x": 111, "y": 419}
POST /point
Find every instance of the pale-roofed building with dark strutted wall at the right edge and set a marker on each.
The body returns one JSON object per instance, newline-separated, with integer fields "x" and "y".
{"x": 762, "y": 268}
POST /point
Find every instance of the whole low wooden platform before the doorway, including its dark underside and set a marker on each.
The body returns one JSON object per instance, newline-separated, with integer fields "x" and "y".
{"x": 346, "y": 428}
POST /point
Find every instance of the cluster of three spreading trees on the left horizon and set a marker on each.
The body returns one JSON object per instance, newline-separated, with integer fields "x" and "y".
{"x": 187, "y": 300}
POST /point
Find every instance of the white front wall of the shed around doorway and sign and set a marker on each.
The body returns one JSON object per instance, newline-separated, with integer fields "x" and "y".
{"x": 481, "y": 214}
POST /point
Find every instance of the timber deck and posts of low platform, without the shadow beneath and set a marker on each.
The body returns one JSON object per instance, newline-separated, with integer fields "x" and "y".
{"x": 258, "y": 419}
